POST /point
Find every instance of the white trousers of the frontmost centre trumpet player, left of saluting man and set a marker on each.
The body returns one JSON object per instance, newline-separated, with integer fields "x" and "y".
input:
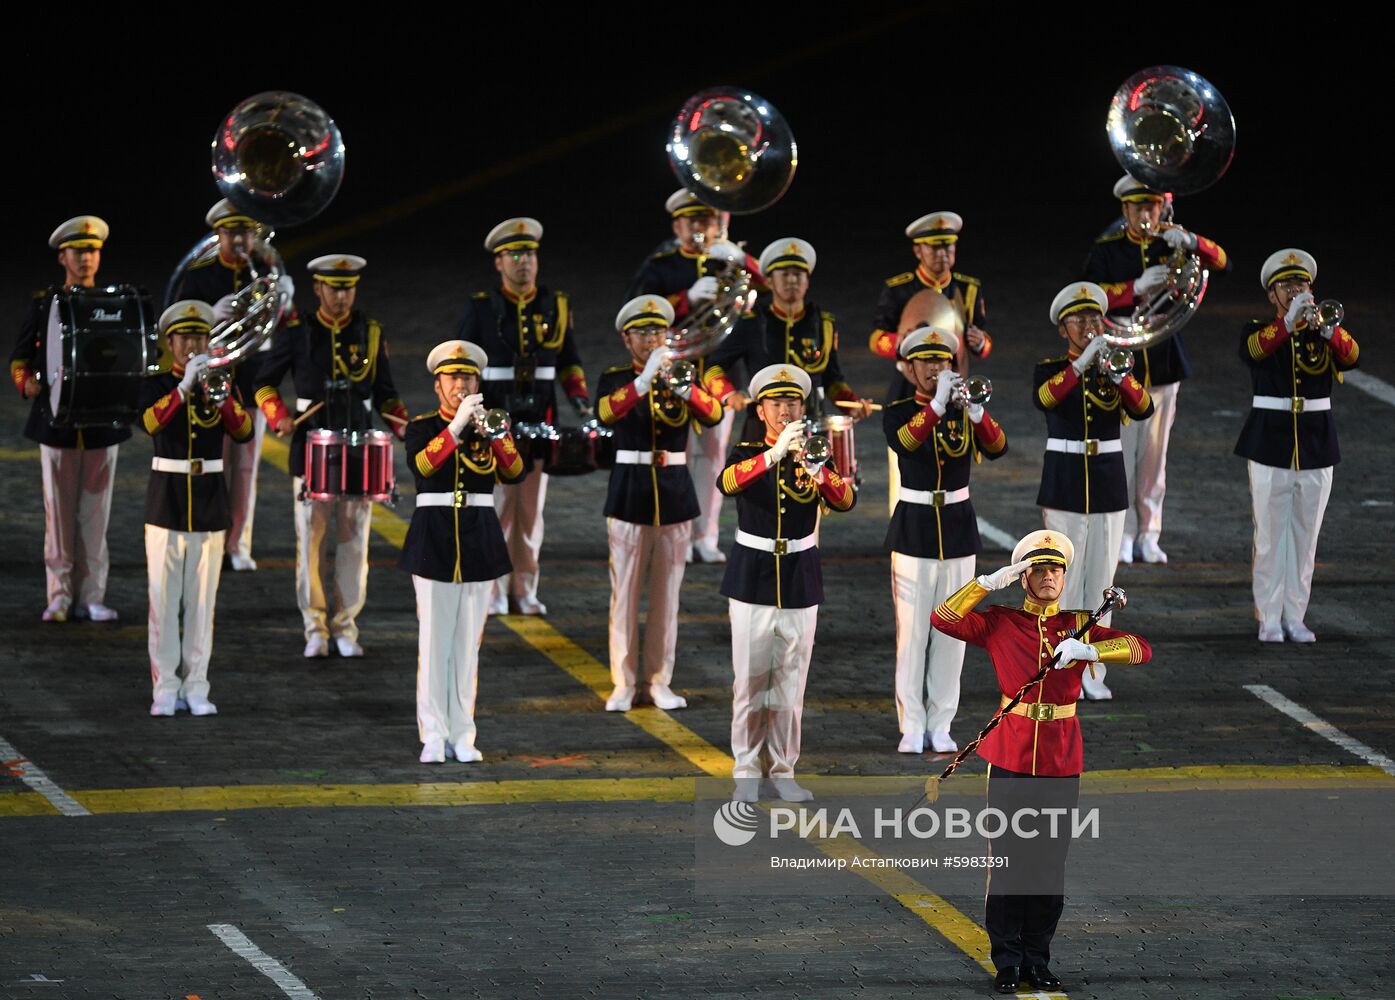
{"x": 771, "y": 652}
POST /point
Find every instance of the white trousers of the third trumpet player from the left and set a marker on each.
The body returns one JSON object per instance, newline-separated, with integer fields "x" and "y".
{"x": 658, "y": 553}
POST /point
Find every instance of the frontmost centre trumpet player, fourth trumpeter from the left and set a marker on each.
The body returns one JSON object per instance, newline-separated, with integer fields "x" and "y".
{"x": 775, "y": 582}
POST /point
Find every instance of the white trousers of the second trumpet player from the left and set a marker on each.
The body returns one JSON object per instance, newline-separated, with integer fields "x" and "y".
{"x": 451, "y": 627}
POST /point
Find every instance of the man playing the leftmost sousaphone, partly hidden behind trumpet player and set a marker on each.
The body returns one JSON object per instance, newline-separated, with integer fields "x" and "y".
{"x": 217, "y": 281}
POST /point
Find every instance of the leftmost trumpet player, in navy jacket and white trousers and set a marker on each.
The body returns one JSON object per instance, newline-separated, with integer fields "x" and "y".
{"x": 186, "y": 511}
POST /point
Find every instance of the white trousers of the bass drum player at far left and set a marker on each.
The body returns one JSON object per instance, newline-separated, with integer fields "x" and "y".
{"x": 77, "y": 506}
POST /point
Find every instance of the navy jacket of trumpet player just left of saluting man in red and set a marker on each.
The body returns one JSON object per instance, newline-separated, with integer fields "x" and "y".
{"x": 935, "y": 453}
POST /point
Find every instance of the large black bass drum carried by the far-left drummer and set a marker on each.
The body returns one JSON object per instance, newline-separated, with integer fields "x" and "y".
{"x": 101, "y": 345}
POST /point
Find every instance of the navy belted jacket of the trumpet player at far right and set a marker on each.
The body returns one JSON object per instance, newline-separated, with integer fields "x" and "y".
{"x": 1292, "y": 368}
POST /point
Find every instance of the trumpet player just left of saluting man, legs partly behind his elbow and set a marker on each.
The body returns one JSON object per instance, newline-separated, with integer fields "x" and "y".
{"x": 937, "y": 434}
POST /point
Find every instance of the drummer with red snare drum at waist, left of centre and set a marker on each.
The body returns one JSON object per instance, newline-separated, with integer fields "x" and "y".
{"x": 337, "y": 359}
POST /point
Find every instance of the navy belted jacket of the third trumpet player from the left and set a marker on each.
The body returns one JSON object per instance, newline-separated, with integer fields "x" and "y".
{"x": 656, "y": 423}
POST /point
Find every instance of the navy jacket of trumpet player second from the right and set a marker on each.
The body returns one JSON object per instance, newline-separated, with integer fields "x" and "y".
{"x": 1089, "y": 408}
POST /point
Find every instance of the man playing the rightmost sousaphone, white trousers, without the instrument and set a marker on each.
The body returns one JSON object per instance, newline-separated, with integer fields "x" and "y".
{"x": 1129, "y": 263}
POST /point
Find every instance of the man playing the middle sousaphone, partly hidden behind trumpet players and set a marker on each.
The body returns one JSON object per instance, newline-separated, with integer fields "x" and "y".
{"x": 687, "y": 277}
